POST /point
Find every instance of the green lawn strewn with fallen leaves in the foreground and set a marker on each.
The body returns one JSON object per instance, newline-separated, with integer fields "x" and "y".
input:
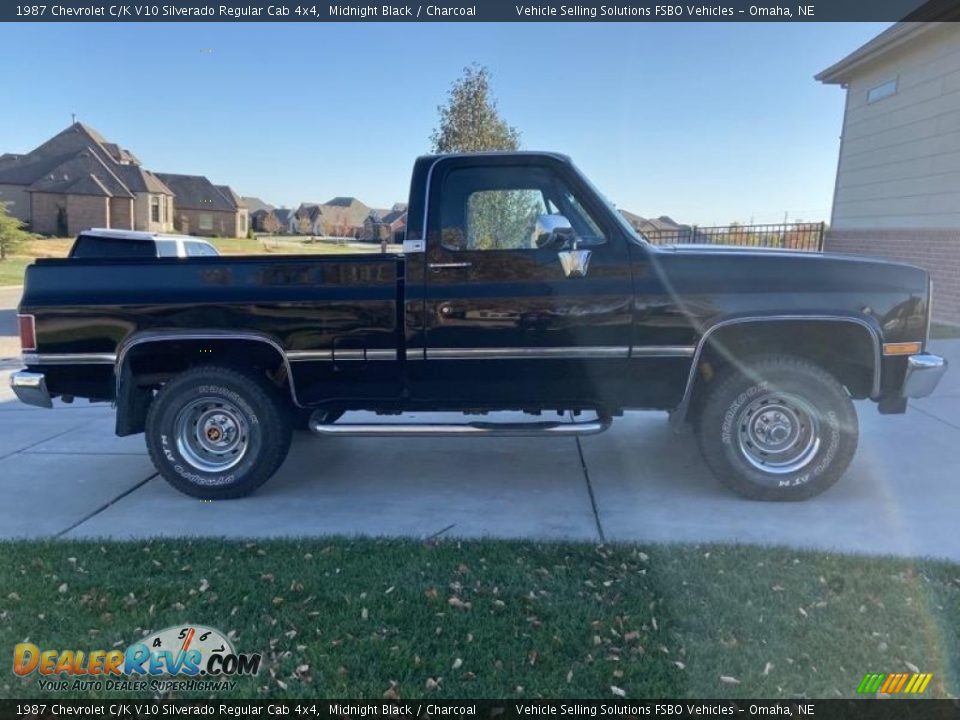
{"x": 354, "y": 618}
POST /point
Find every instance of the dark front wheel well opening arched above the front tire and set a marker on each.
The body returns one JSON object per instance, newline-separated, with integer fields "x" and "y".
{"x": 846, "y": 350}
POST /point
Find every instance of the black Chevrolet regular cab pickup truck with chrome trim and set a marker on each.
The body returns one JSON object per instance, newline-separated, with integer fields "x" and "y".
{"x": 519, "y": 288}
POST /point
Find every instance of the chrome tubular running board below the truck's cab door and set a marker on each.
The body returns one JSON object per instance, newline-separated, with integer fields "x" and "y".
{"x": 534, "y": 429}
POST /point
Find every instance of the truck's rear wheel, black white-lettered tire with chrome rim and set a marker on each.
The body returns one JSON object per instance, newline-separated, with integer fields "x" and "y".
{"x": 241, "y": 411}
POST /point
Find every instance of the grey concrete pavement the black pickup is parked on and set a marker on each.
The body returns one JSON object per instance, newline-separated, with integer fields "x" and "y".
{"x": 63, "y": 473}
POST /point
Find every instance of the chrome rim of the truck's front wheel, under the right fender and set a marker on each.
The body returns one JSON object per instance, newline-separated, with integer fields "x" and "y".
{"x": 778, "y": 433}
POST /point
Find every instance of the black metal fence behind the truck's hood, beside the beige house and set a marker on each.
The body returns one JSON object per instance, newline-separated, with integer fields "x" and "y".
{"x": 789, "y": 236}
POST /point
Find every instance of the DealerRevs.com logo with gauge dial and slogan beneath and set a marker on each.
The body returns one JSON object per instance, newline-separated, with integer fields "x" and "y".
{"x": 183, "y": 657}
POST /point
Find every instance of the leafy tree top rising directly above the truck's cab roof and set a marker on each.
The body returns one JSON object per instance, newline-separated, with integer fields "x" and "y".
{"x": 470, "y": 120}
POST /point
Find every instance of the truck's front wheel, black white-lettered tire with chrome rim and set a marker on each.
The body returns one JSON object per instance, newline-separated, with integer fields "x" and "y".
{"x": 777, "y": 428}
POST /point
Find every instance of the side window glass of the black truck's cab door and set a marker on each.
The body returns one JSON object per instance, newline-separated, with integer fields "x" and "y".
{"x": 504, "y": 207}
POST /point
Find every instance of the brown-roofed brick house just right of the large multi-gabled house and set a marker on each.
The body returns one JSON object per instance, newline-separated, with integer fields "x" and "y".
{"x": 203, "y": 208}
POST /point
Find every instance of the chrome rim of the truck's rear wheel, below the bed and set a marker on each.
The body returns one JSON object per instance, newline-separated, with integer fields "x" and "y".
{"x": 212, "y": 434}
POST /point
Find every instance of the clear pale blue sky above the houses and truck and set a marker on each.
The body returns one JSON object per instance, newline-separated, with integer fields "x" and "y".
{"x": 709, "y": 123}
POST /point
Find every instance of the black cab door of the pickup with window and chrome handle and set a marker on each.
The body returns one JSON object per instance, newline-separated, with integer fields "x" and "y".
{"x": 503, "y": 322}
